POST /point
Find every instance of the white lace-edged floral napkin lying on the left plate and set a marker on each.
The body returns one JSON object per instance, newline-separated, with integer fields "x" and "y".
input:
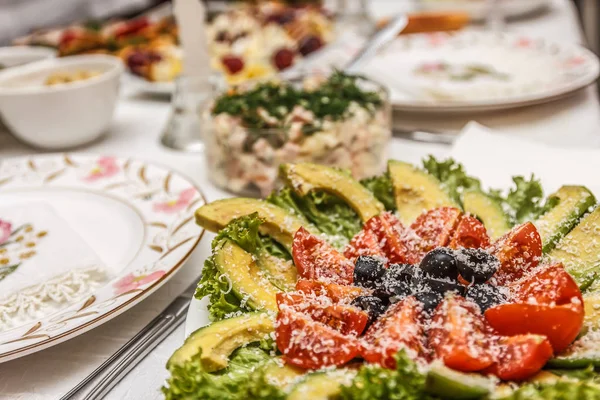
{"x": 44, "y": 264}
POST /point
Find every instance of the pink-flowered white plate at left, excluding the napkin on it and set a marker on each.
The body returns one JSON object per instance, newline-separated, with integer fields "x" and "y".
{"x": 137, "y": 217}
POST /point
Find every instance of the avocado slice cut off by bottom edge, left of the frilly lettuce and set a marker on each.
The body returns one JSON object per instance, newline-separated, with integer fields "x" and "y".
{"x": 321, "y": 385}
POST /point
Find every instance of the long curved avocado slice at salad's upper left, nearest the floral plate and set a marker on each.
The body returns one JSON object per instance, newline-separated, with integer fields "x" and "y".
{"x": 279, "y": 224}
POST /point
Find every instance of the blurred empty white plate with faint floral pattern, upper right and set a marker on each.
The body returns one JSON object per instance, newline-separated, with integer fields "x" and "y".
{"x": 479, "y": 71}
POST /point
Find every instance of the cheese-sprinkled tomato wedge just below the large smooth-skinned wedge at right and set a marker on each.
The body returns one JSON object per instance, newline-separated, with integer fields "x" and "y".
{"x": 520, "y": 357}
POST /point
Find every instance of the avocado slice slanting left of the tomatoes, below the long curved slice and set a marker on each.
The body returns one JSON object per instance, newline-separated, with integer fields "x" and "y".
{"x": 247, "y": 280}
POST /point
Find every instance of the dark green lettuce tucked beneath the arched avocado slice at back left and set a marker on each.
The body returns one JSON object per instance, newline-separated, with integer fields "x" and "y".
{"x": 330, "y": 214}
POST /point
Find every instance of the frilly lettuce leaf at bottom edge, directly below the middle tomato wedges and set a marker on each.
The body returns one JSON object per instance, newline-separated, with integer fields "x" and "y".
{"x": 376, "y": 383}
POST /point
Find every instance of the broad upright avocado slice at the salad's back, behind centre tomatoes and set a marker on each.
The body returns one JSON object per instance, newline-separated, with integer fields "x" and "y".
{"x": 416, "y": 191}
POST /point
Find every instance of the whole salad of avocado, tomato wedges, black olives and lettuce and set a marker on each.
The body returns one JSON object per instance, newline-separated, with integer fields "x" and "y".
{"x": 416, "y": 284}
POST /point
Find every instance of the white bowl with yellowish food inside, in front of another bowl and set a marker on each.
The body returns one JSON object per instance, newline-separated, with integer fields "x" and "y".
{"x": 65, "y": 115}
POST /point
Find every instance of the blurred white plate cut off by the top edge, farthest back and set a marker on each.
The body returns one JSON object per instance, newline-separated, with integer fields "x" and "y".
{"x": 478, "y": 9}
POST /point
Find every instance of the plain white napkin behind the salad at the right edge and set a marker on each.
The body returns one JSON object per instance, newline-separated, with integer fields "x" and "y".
{"x": 495, "y": 158}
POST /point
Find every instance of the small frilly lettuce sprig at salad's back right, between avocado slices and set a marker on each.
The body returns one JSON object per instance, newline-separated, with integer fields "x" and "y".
{"x": 525, "y": 201}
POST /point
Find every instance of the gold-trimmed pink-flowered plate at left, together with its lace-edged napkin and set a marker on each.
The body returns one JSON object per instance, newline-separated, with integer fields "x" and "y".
{"x": 83, "y": 238}
